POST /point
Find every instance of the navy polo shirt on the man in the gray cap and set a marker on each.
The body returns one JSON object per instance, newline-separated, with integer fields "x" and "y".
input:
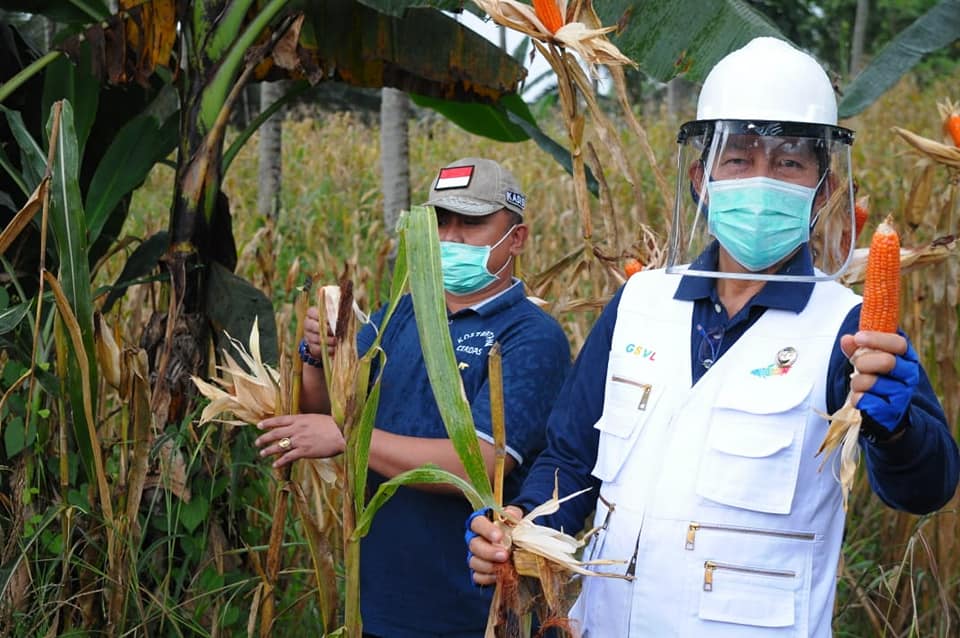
{"x": 414, "y": 576}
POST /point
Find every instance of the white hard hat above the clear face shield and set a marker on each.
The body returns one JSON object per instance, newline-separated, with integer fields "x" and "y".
{"x": 768, "y": 79}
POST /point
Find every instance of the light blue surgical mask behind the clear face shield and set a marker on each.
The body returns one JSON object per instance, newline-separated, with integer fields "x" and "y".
{"x": 759, "y": 220}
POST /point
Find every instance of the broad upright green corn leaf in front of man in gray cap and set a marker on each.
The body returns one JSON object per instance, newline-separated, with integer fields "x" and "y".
{"x": 418, "y": 227}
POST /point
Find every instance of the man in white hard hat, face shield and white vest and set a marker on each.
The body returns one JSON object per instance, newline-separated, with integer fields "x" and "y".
{"x": 695, "y": 407}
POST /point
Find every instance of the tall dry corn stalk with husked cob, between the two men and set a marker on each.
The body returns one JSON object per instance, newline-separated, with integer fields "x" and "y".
{"x": 581, "y": 39}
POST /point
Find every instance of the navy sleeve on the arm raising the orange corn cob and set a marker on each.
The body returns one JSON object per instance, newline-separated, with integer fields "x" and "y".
{"x": 918, "y": 471}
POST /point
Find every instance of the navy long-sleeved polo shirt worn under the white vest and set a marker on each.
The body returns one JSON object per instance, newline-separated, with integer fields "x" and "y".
{"x": 916, "y": 473}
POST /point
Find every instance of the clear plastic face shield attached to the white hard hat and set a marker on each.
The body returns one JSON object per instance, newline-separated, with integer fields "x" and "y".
{"x": 769, "y": 193}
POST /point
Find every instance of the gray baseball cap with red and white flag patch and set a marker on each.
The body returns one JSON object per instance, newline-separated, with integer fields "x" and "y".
{"x": 476, "y": 186}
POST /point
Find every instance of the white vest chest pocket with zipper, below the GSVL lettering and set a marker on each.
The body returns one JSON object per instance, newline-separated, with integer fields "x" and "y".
{"x": 630, "y": 396}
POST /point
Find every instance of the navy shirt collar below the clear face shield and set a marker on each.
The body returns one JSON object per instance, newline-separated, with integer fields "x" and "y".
{"x": 781, "y": 295}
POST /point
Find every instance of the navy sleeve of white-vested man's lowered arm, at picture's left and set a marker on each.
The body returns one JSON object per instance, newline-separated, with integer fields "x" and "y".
{"x": 572, "y": 441}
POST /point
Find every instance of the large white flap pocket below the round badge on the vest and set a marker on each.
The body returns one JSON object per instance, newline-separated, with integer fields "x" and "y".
{"x": 752, "y": 454}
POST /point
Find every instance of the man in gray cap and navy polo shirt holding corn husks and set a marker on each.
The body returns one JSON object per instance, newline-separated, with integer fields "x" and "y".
{"x": 414, "y": 580}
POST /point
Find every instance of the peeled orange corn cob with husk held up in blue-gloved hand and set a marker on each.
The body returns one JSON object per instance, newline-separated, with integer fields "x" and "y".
{"x": 880, "y": 312}
